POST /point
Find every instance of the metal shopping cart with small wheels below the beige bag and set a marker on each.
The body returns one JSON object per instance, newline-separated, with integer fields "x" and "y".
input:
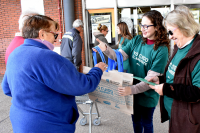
{"x": 84, "y": 99}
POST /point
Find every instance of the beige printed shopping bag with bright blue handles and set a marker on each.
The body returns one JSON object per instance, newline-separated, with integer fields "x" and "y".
{"x": 107, "y": 91}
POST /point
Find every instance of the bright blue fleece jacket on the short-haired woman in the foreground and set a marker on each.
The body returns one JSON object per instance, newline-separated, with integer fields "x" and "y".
{"x": 43, "y": 86}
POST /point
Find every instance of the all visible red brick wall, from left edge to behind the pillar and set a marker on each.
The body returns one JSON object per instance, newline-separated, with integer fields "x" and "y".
{"x": 10, "y": 12}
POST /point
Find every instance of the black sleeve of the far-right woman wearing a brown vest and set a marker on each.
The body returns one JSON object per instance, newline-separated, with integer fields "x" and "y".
{"x": 186, "y": 93}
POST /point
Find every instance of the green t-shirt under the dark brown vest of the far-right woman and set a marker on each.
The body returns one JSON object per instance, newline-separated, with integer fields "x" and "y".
{"x": 181, "y": 53}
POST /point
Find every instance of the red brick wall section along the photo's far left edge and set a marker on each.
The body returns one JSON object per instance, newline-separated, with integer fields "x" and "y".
{"x": 10, "y": 12}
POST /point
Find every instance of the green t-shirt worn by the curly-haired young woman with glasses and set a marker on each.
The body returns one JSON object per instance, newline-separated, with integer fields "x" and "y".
{"x": 142, "y": 58}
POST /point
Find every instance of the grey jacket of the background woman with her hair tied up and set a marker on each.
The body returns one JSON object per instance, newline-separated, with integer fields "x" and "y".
{"x": 102, "y": 38}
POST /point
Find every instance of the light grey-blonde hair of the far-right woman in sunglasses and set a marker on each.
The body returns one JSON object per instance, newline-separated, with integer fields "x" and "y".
{"x": 184, "y": 20}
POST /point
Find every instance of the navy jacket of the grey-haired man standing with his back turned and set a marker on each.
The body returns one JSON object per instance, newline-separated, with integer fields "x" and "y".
{"x": 71, "y": 46}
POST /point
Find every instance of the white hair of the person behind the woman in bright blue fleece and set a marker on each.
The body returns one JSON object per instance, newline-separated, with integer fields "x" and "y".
{"x": 23, "y": 17}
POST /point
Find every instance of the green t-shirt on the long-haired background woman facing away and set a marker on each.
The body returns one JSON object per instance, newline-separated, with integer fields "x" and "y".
{"x": 126, "y": 65}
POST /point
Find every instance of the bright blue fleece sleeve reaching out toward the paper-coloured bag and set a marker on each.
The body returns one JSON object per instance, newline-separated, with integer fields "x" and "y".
{"x": 70, "y": 82}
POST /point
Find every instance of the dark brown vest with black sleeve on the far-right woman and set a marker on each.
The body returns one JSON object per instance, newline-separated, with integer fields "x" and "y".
{"x": 185, "y": 116}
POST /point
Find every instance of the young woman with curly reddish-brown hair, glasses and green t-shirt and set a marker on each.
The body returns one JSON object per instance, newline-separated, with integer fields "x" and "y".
{"x": 147, "y": 55}
